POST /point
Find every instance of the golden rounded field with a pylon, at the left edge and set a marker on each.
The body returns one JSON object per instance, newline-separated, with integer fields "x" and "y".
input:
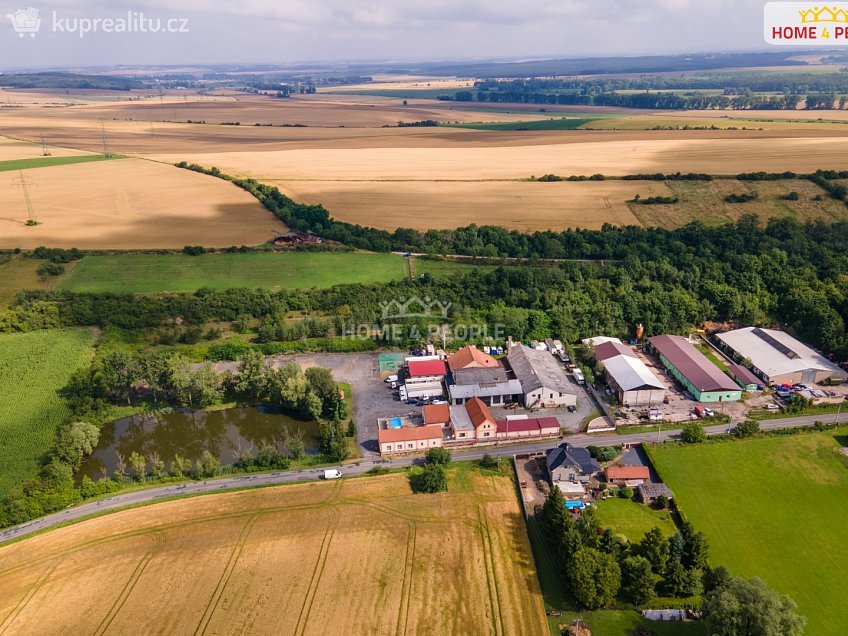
{"x": 131, "y": 204}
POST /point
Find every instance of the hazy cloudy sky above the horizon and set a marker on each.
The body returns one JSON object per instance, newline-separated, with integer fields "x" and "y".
{"x": 283, "y": 31}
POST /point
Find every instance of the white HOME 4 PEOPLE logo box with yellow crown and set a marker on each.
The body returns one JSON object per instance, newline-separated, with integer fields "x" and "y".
{"x": 806, "y": 23}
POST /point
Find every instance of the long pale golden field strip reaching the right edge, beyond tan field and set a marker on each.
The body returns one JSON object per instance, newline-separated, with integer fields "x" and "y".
{"x": 608, "y": 153}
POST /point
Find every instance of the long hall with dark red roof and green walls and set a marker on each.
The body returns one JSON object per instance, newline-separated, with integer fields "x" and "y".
{"x": 694, "y": 371}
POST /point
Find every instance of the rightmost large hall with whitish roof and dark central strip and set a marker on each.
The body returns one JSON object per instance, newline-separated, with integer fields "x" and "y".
{"x": 778, "y": 358}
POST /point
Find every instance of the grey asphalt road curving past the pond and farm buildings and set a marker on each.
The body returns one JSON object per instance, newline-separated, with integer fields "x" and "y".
{"x": 286, "y": 477}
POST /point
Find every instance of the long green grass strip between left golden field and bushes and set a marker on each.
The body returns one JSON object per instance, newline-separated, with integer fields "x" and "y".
{"x": 152, "y": 273}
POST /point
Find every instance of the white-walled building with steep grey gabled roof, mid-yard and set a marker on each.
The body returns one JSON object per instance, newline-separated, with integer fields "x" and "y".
{"x": 543, "y": 382}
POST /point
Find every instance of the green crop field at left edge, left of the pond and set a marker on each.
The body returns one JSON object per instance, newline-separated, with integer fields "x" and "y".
{"x": 33, "y": 367}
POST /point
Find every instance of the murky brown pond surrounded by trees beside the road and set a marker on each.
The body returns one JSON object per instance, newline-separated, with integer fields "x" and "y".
{"x": 225, "y": 434}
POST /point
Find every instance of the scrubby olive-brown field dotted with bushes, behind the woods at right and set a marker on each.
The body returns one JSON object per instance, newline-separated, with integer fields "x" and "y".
{"x": 704, "y": 201}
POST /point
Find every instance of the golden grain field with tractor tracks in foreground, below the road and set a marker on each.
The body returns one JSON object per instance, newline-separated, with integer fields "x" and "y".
{"x": 355, "y": 556}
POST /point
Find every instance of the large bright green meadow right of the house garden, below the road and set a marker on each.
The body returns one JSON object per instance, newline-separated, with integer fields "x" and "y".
{"x": 776, "y": 508}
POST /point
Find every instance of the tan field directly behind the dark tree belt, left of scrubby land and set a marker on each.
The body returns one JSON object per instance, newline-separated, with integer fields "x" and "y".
{"x": 519, "y": 205}
